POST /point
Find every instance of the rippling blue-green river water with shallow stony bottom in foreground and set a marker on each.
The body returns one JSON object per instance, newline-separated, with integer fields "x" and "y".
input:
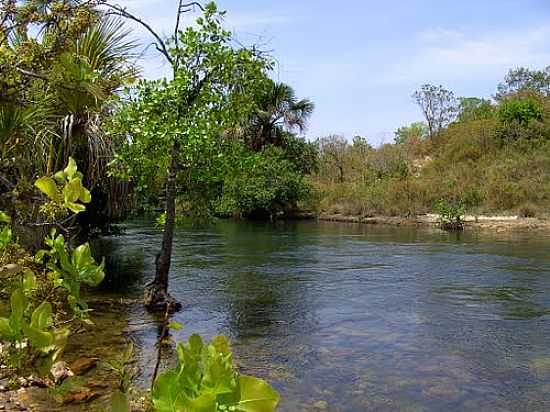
{"x": 344, "y": 317}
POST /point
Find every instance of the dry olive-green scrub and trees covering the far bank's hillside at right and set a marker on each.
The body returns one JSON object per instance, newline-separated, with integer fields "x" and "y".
{"x": 491, "y": 156}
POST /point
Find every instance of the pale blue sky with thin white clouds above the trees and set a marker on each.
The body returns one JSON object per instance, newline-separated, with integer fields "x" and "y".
{"x": 360, "y": 61}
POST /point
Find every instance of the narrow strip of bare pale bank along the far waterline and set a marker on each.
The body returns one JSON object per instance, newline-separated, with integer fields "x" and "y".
{"x": 497, "y": 223}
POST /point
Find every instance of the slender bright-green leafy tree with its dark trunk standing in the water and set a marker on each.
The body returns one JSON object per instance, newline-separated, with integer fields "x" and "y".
{"x": 174, "y": 125}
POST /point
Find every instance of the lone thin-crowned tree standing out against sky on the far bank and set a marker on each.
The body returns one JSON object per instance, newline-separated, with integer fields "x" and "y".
{"x": 438, "y": 106}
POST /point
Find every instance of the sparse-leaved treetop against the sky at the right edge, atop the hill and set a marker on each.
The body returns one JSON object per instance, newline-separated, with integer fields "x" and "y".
{"x": 524, "y": 79}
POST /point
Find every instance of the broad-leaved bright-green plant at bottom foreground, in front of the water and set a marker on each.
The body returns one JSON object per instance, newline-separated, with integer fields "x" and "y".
{"x": 205, "y": 380}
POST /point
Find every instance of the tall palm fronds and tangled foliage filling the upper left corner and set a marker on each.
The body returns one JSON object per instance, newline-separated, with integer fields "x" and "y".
{"x": 61, "y": 65}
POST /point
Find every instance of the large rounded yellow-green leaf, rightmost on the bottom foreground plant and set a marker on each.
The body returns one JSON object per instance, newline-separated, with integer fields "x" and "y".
{"x": 256, "y": 395}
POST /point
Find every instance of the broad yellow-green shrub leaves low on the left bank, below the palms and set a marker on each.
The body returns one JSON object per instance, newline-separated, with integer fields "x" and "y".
{"x": 29, "y": 329}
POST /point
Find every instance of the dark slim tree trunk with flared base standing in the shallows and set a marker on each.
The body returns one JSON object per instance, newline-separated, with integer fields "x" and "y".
{"x": 156, "y": 292}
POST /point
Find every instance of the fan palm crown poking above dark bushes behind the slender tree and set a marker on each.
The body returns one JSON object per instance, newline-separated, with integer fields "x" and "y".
{"x": 278, "y": 111}
